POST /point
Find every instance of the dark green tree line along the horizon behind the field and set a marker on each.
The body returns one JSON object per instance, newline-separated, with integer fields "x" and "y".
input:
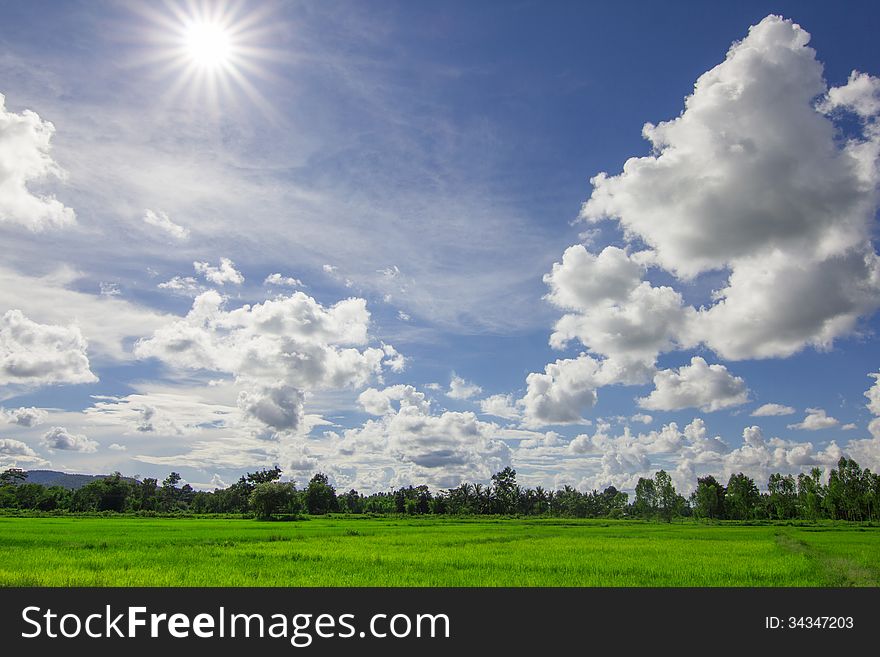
{"x": 851, "y": 493}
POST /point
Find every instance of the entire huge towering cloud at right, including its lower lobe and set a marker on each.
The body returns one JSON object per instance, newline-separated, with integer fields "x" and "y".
{"x": 750, "y": 178}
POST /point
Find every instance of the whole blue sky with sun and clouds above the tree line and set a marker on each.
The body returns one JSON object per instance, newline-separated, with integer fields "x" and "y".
{"x": 454, "y": 294}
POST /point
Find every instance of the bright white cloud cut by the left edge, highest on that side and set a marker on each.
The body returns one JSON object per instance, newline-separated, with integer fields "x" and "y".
{"x": 25, "y": 158}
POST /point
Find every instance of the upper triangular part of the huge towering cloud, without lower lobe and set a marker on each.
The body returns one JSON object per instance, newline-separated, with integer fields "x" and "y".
{"x": 769, "y": 172}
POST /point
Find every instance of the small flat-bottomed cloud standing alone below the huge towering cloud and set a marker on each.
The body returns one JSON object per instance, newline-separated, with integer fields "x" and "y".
{"x": 698, "y": 385}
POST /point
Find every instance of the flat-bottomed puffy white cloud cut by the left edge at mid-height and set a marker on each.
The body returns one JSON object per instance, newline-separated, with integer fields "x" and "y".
{"x": 39, "y": 354}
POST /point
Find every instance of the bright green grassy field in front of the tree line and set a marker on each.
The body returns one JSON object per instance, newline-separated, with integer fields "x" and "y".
{"x": 72, "y": 551}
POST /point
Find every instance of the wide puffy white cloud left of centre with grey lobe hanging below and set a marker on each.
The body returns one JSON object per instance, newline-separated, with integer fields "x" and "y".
{"x": 275, "y": 350}
